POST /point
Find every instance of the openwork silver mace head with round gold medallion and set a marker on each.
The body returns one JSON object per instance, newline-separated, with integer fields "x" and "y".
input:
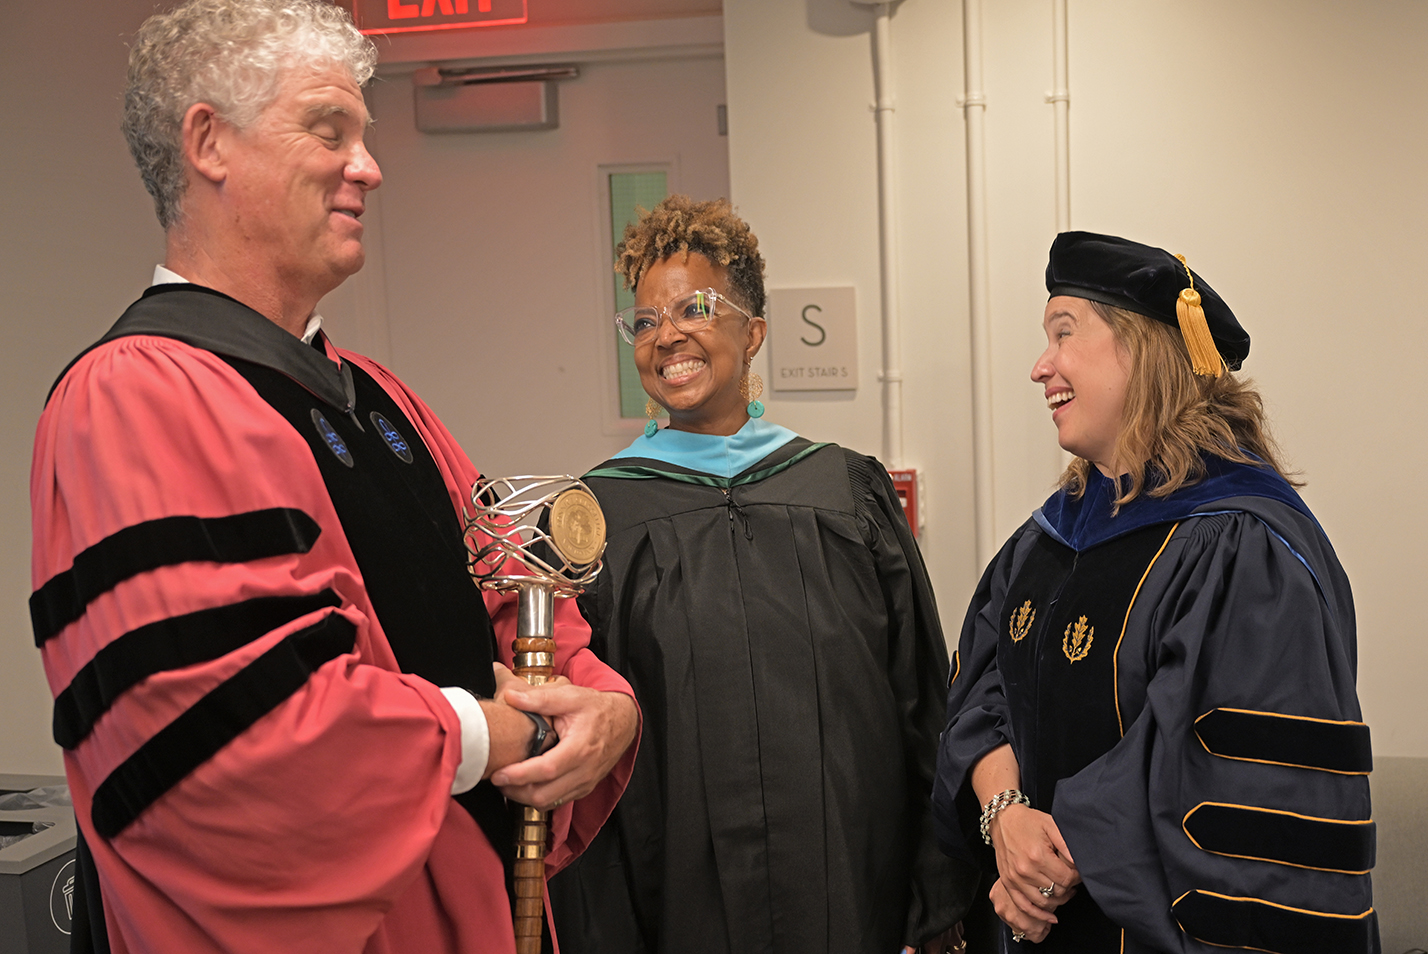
{"x": 550, "y": 526}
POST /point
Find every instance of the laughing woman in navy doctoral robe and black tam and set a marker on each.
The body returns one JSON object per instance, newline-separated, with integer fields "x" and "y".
{"x": 1153, "y": 718}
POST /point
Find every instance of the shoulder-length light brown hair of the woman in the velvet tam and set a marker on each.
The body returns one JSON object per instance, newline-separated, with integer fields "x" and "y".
{"x": 1173, "y": 416}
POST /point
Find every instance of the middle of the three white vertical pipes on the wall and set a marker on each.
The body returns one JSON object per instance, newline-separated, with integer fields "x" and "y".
{"x": 975, "y": 108}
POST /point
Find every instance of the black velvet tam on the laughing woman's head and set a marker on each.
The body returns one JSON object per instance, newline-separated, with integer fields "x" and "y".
{"x": 1140, "y": 279}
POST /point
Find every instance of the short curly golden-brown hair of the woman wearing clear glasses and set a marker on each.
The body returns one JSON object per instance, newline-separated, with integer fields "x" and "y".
{"x": 682, "y": 226}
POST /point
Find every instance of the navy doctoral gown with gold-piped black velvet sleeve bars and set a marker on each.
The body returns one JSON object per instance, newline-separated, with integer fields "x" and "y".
{"x": 1177, "y": 683}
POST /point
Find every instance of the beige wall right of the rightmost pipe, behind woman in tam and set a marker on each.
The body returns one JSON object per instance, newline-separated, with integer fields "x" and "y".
{"x": 1303, "y": 194}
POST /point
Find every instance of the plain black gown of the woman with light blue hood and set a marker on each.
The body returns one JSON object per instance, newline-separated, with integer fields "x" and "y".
{"x": 780, "y": 633}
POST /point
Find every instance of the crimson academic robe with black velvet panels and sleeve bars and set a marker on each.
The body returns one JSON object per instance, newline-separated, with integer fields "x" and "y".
{"x": 249, "y": 589}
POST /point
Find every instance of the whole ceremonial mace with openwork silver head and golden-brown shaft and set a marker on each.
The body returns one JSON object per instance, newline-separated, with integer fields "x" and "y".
{"x": 558, "y": 558}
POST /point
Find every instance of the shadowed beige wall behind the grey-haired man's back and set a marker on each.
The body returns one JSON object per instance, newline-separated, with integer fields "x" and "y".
{"x": 81, "y": 242}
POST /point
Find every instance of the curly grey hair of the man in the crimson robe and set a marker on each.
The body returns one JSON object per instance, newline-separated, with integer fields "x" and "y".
{"x": 231, "y": 55}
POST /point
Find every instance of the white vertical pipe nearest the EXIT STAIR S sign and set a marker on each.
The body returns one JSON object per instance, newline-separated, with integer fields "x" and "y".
{"x": 885, "y": 109}
